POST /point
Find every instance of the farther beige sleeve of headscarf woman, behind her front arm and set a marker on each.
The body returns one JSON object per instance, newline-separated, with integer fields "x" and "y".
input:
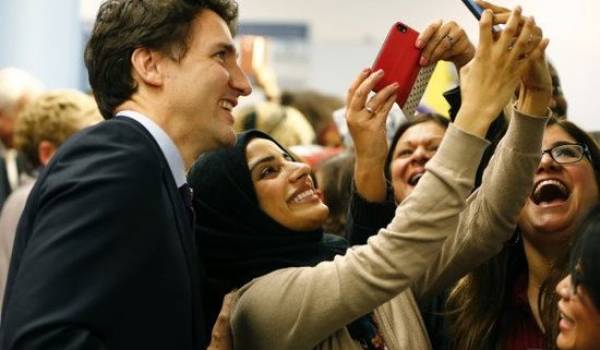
{"x": 490, "y": 217}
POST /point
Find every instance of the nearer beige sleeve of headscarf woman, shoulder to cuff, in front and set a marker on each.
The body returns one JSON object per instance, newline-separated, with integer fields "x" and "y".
{"x": 297, "y": 308}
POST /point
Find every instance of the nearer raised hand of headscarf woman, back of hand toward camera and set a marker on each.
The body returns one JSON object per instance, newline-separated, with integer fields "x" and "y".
{"x": 489, "y": 81}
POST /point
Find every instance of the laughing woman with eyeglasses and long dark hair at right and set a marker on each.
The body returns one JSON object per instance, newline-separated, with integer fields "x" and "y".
{"x": 510, "y": 301}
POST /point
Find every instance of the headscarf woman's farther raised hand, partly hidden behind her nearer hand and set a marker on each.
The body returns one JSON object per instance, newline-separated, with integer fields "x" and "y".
{"x": 535, "y": 91}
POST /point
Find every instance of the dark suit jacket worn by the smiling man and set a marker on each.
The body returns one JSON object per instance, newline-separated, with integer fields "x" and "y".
{"x": 104, "y": 256}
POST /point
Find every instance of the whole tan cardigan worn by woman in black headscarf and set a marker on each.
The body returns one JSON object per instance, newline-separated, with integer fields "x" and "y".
{"x": 432, "y": 241}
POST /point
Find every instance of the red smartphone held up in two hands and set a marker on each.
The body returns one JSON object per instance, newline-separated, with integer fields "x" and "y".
{"x": 399, "y": 59}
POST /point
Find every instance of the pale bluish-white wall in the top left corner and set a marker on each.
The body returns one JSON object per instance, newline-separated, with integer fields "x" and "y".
{"x": 43, "y": 37}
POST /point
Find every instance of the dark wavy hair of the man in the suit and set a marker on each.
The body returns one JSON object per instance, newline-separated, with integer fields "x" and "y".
{"x": 124, "y": 25}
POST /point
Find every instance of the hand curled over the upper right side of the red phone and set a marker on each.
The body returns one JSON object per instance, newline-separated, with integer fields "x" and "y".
{"x": 445, "y": 41}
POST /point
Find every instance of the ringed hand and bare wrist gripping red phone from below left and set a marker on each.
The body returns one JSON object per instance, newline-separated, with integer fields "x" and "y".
{"x": 366, "y": 118}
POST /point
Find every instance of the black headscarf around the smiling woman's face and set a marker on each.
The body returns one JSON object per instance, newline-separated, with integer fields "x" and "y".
{"x": 236, "y": 239}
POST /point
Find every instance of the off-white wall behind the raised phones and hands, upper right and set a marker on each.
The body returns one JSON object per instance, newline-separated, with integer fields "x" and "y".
{"x": 346, "y": 35}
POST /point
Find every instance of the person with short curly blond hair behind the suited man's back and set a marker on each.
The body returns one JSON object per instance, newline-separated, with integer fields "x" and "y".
{"x": 43, "y": 125}
